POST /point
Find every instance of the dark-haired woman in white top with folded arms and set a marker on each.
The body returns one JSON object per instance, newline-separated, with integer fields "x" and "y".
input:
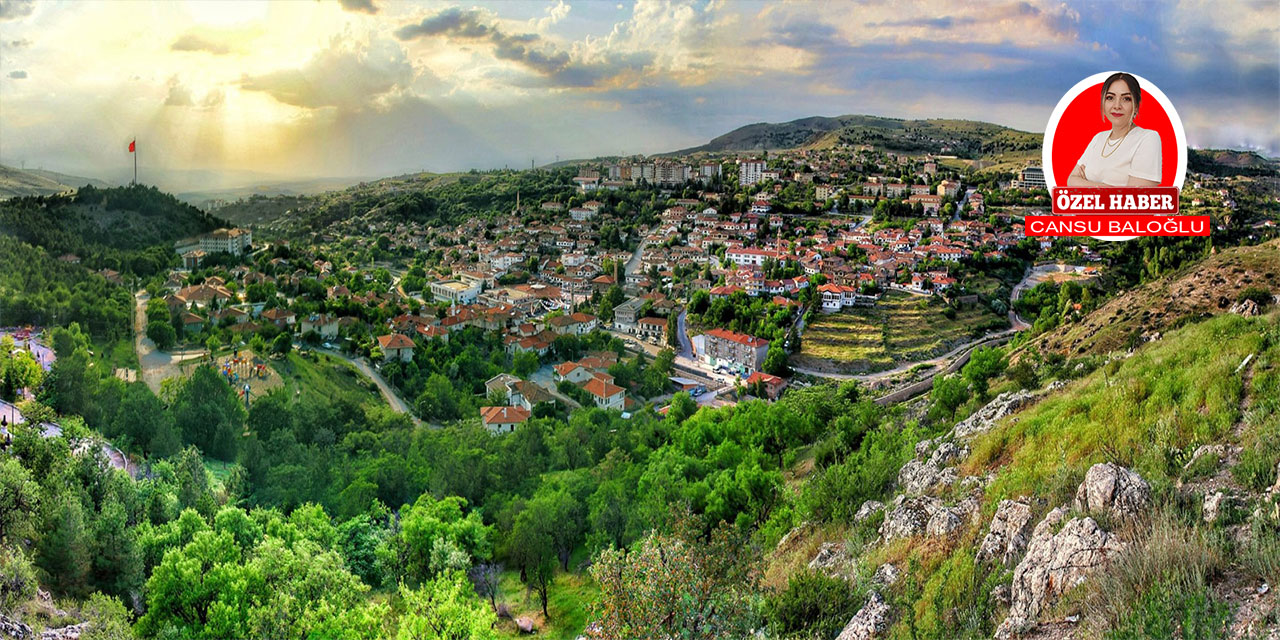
{"x": 1126, "y": 156}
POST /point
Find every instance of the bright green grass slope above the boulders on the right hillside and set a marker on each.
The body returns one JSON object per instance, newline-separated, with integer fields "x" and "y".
{"x": 1149, "y": 414}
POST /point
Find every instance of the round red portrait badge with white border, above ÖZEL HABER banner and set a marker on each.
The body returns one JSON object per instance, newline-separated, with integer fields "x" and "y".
{"x": 1116, "y": 130}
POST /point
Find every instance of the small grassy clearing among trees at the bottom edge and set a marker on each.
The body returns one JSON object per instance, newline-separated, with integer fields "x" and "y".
{"x": 569, "y": 604}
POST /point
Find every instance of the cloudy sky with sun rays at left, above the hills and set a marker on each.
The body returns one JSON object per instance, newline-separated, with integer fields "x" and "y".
{"x": 226, "y": 92}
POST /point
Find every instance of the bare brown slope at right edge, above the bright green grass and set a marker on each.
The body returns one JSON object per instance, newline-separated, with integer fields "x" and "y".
{"x": 1208, "y": 287}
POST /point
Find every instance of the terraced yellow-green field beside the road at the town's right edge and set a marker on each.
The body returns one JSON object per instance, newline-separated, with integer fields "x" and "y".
{"x": 900, "y": 328}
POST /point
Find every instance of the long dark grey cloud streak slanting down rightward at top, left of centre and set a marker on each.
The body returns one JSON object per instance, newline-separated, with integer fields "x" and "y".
{"x": 557, "y": 67}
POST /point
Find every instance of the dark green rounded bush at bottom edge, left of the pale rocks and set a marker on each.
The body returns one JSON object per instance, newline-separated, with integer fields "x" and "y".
{"x": 812, "y": 606}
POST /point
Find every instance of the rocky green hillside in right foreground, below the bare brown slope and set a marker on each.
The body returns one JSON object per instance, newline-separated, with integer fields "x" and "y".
{"x": 1128, "y": 499}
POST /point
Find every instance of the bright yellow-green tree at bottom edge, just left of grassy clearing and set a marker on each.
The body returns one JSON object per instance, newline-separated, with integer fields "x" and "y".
{"x": 445, "y": 609}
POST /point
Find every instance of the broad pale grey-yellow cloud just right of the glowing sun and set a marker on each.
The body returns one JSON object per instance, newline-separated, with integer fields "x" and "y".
{"x": 346, "y": 75}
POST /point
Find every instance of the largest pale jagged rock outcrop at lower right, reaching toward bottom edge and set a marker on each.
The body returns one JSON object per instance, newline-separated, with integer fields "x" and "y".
{"x": 1062, "y": 555}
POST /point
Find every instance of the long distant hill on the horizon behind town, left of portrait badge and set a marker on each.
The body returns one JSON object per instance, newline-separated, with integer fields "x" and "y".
{"x": 963, "y": 139}
